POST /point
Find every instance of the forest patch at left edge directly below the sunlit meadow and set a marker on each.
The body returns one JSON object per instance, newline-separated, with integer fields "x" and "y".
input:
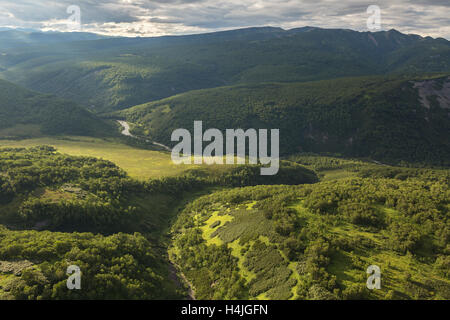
{"x": 46, "y": 190}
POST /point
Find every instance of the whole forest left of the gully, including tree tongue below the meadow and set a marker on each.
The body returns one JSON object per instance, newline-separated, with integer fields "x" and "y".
{"x": 41, "y": 189}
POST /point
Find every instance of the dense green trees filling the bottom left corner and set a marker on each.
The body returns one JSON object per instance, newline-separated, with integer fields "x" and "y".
{"x": 121, "y": 266}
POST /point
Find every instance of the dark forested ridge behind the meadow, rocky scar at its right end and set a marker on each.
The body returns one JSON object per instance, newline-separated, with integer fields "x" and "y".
{"x": 385, "y": 118}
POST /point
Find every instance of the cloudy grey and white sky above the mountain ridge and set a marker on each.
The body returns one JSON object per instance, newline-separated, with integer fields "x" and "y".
{"x": 175, "y": 17}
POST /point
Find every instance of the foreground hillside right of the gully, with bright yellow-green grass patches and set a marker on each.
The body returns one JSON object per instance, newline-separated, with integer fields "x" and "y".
{"x": 317, "y": 241}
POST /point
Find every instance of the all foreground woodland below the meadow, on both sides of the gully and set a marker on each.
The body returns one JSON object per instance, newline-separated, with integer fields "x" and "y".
{"x": 311, "y": 240}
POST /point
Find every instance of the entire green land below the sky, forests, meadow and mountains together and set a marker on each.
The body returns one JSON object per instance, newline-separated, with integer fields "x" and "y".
{"x": 364, "y": 177}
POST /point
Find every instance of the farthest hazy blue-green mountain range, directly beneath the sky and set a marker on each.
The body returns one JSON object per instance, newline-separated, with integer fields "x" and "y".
{"x": 114, "y": 74}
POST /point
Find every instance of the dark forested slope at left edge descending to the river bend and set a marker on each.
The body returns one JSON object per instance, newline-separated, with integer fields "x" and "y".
{"x": 27, "y": 113}
